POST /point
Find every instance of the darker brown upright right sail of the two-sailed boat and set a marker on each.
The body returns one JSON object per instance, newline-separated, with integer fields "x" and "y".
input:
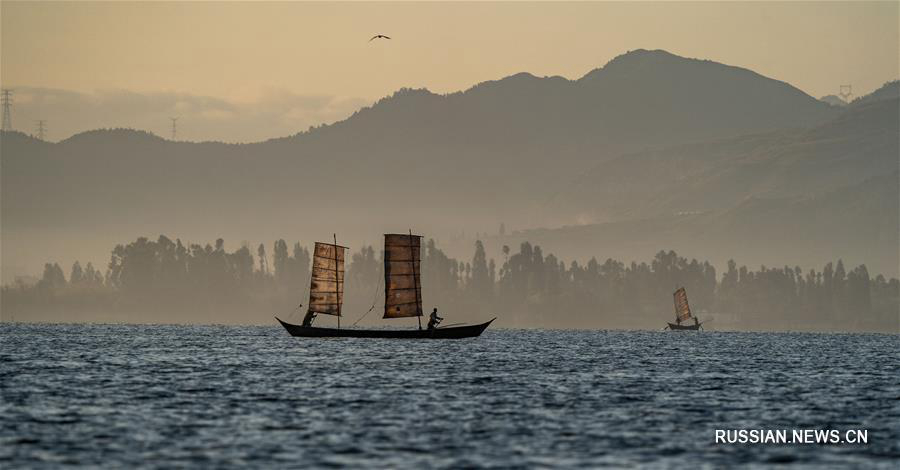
{"x": 402, "y": 284}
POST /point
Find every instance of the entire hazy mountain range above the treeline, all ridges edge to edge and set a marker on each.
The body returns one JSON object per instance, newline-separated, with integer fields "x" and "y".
{"x": 645, "y": 138}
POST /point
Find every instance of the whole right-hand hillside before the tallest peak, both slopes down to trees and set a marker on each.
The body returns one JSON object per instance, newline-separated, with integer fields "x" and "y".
{"x": 800, "y": 196}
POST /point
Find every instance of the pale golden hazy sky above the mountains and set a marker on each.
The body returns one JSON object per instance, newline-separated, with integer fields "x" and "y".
{"x": 248, "y": 71}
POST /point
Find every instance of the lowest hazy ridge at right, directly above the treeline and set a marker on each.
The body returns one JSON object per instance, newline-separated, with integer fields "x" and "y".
{"x": 857, "y": 223}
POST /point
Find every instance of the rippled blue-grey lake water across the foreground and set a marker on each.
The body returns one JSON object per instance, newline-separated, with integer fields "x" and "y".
{"x": 163, "y": 396}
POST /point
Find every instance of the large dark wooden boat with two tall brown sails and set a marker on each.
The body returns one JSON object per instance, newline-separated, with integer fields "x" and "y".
{"x": 402, "y": 293}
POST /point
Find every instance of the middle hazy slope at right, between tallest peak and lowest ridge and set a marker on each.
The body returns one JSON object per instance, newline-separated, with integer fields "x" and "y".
{"x": 859, "y": 144}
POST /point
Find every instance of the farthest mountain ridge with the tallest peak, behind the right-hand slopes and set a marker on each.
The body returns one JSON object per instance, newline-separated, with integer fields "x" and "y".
{"x": 438, "y": 163}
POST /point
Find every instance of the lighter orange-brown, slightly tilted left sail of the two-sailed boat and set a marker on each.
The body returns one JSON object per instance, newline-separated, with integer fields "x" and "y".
{"x": 326, "y": 290}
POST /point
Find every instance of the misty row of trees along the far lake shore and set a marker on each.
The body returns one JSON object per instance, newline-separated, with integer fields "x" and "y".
{"x": 165, "y": 281}
